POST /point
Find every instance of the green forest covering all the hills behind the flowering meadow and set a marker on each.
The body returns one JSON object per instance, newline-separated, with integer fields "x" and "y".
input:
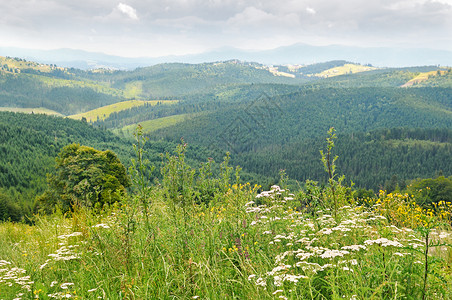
{"x": 387, "y": 134}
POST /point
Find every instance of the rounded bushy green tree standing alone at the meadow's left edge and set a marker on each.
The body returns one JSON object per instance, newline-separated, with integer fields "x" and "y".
{"x": 85, "y": 177}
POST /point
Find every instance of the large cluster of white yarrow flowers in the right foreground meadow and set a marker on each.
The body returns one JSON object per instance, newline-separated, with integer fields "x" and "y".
{"x": 303, "y": 244}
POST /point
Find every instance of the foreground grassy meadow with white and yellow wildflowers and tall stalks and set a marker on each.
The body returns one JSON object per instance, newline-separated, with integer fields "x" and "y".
{"x": 195, "y": 235}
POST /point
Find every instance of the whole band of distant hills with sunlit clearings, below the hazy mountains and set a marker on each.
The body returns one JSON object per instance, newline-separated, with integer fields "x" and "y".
{"x": 25, "y": 84}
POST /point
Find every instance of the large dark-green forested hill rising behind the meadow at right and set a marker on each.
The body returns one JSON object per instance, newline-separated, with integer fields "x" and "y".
{"x": 265, "y": 121}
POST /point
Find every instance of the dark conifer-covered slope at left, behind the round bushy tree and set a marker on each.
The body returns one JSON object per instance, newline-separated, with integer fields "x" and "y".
{"x": 29, "y": 144}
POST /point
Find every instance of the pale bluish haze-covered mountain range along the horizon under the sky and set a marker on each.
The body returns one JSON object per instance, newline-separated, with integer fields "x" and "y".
{"x": 293, "y": 54}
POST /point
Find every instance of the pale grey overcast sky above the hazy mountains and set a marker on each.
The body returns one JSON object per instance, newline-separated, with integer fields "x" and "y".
{"x": 163, "y": 27}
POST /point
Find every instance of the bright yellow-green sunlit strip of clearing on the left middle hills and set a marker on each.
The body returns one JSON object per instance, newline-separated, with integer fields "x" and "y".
{"x": 103, "y": 112}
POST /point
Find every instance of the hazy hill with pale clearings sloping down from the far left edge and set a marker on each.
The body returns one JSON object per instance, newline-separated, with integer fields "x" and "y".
{"x": 28, "y": 85}
